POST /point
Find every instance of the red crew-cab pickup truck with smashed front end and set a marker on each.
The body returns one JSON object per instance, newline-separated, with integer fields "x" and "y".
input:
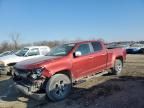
{"x": 55, "y": 73}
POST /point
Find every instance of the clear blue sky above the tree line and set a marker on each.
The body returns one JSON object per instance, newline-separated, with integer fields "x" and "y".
{"x": 38, "y": 20}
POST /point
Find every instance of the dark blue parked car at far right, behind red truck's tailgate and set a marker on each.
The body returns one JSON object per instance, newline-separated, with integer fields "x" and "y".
{"x": 135, "y": 48}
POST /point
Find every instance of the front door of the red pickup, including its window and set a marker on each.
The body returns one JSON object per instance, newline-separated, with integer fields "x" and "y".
{"x": 83, "y": 64}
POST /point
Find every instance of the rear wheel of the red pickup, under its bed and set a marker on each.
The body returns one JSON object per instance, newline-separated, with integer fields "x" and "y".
{"x": 118, "y": 66}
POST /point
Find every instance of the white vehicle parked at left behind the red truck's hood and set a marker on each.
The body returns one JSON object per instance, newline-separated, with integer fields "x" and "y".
{"x": 7, "y": 62}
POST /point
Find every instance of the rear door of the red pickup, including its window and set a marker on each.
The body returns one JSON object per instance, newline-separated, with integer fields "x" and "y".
{"x": 100, "y": 56}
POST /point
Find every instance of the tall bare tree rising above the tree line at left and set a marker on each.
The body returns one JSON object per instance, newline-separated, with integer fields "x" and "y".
{"x": 15, "y": 40}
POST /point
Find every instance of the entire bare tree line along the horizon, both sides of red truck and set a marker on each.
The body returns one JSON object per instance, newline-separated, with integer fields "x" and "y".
{"x": 15, "y": 44}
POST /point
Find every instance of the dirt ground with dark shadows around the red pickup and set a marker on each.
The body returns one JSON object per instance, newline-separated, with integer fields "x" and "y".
{"x": 108, "y": 91}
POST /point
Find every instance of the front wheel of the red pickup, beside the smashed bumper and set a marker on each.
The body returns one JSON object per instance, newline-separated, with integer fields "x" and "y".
{"x": 58, "y": 87}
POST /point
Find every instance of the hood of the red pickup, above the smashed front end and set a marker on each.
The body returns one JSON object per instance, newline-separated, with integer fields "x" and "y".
{"x": 35, "y": 62}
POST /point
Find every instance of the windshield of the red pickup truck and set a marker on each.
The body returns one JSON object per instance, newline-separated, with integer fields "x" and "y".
{"x": 61, "y": 50}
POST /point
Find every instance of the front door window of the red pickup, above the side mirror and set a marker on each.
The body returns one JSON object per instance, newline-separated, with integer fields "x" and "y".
{"x": 84, "y": 49}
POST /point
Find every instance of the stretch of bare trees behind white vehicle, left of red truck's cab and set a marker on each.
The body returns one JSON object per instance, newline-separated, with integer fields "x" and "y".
{"x": 15, "y": 44}
